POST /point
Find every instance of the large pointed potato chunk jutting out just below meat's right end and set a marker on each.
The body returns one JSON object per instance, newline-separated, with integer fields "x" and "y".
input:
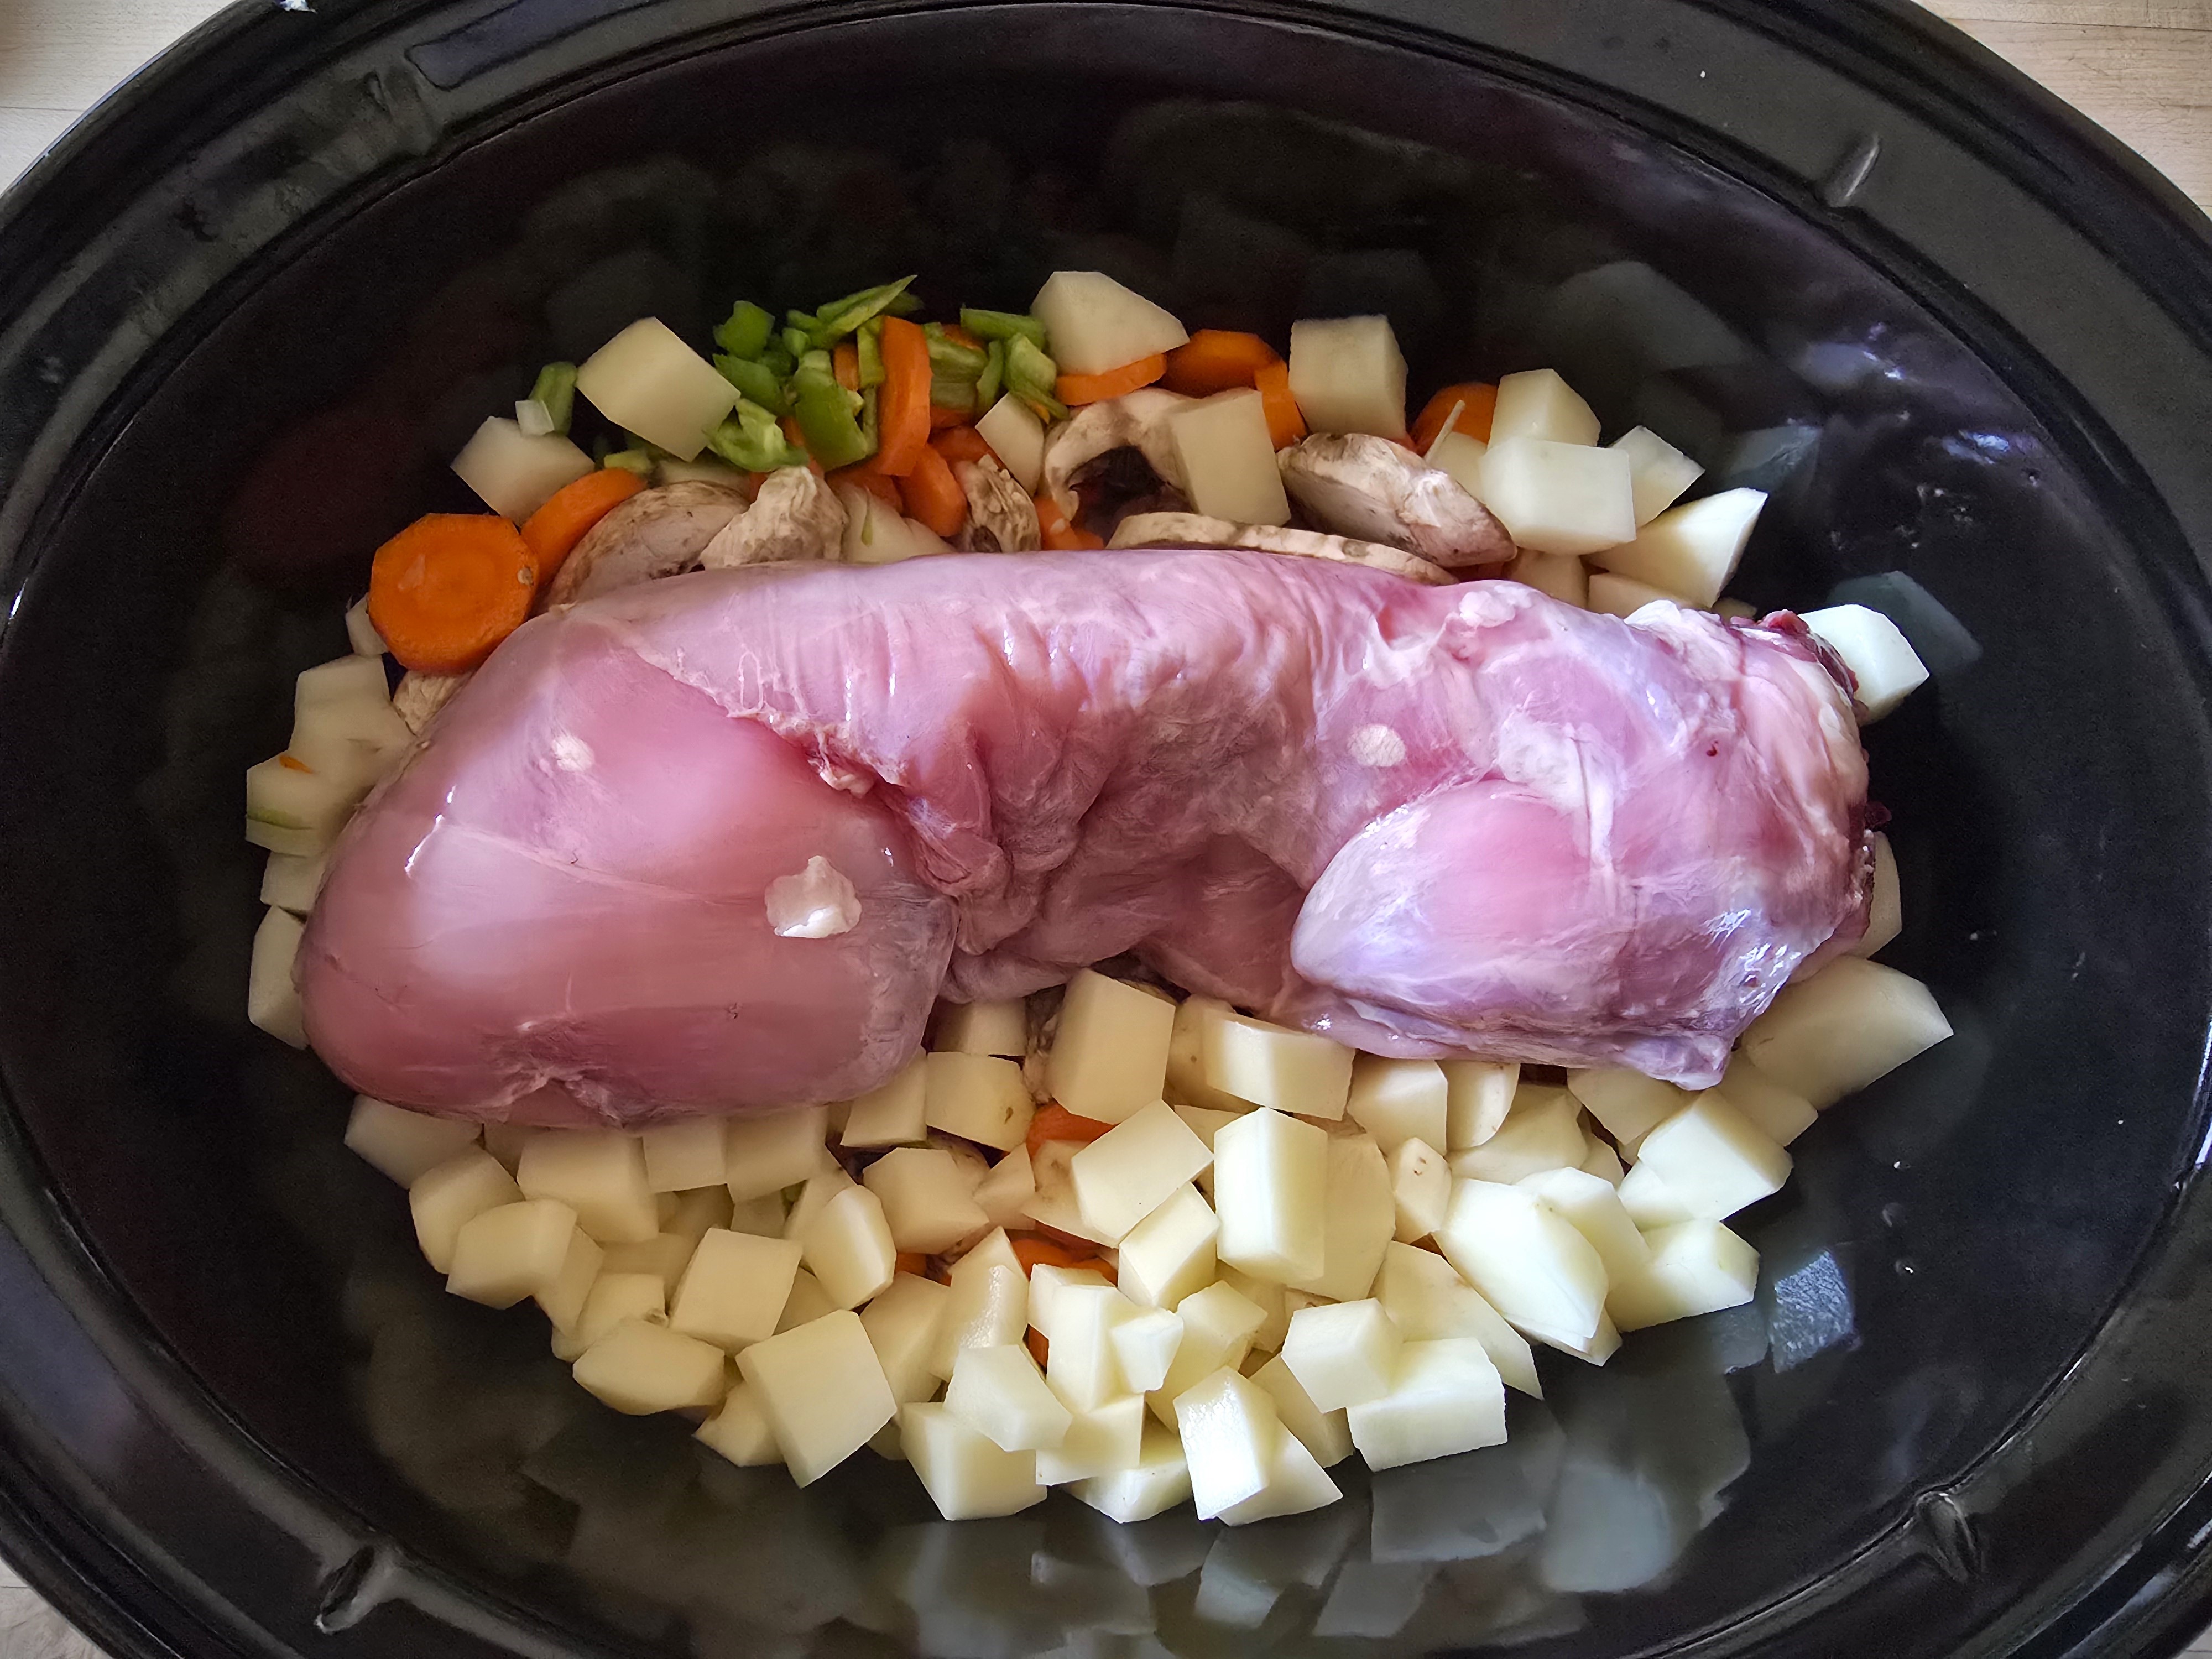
{"x": 1848, "y": 1025}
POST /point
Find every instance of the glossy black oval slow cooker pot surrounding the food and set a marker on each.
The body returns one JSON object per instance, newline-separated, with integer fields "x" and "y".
{"x": 1833, "y": 251}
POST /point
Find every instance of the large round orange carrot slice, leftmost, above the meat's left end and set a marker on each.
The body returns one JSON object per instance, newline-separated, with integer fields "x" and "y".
{"x": 450, "y": 587}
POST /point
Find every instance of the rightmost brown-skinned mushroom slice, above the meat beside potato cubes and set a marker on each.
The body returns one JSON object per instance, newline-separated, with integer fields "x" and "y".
{"x": 1379, "y": 492}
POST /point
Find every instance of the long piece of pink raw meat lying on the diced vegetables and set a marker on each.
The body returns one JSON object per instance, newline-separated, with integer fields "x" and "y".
{"x": 1459, "y": 820}
